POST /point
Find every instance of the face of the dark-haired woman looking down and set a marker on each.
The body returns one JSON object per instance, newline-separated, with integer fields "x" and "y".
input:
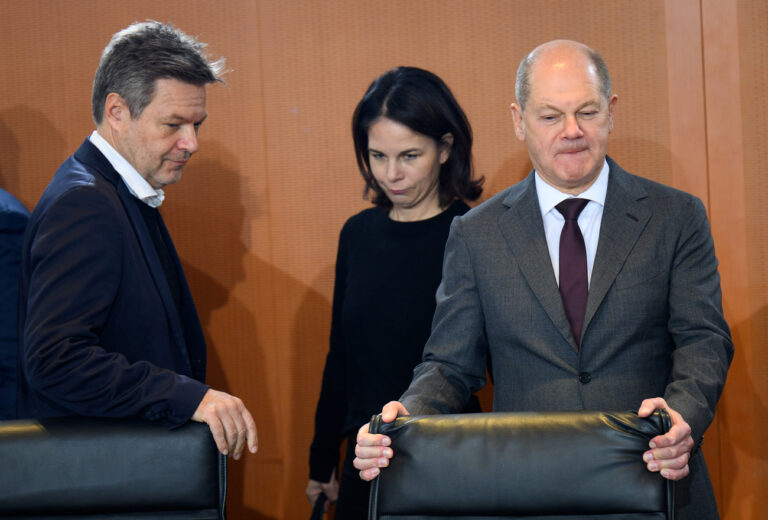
{"x": 406, "y": 165}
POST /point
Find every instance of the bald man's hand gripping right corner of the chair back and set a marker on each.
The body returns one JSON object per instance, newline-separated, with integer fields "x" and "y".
{"x": 670, "y": 452}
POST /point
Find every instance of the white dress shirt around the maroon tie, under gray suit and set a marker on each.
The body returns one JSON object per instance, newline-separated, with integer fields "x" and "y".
{"x": 589, "y": 219}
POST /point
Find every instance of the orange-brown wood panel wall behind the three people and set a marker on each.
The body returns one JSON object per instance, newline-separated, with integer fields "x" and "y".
{"x": 257, "y": 215}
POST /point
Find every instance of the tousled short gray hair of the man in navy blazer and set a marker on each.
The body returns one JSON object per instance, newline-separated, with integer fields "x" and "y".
{"x": 142, "y": 53}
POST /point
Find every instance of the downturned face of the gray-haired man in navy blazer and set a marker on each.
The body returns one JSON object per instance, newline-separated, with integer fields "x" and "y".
{"x": 162, "y": 139}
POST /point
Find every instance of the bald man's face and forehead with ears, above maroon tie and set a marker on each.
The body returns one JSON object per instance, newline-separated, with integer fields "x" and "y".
{"x": 566, "y": 121}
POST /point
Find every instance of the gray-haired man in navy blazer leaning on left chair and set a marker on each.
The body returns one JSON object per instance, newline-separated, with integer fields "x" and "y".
{"x": 109, "y": 325}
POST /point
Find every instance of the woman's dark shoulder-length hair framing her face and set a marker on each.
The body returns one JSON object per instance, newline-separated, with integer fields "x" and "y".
{"x": 421, "y": 101}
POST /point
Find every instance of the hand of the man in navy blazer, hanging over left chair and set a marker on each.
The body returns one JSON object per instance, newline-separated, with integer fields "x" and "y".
{"x": 230, "y": 422}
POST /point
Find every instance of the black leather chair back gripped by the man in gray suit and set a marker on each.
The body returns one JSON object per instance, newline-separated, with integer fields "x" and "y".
{"x": 521, "y": 465}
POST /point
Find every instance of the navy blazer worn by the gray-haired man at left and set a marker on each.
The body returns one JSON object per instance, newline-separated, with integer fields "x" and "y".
{"x": 101, "y": 334}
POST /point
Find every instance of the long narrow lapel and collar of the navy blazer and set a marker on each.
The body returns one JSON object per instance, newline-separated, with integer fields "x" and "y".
{"x": 90, "y": 155}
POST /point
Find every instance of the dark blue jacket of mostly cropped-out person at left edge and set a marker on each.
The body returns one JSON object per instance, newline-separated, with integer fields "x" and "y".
{"x": 13, "y": 220}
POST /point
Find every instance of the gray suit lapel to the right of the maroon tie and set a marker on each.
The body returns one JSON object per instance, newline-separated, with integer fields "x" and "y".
{"x": 625, "y": 216}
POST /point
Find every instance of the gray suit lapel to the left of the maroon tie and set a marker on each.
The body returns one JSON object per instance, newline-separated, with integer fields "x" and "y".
{"x": 522, "y": 227}
